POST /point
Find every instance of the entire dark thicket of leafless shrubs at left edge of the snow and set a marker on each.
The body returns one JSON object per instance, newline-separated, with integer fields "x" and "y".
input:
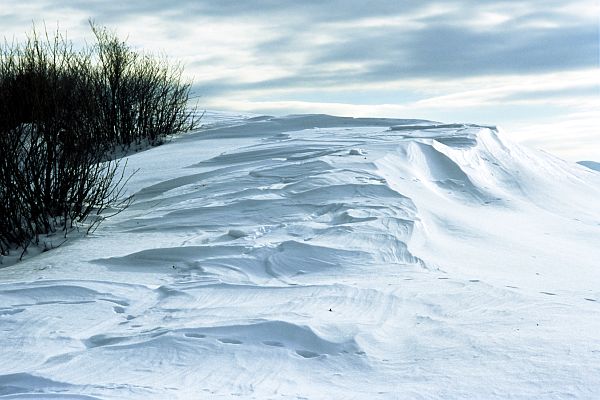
{"x": 62, "y": 114}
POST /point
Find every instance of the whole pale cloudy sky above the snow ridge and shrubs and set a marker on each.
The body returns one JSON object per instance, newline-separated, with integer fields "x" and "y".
{"x": 531, "y": 67}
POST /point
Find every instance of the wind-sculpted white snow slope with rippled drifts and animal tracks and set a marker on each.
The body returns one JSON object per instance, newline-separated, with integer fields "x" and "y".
{"x": 324, "y": 258}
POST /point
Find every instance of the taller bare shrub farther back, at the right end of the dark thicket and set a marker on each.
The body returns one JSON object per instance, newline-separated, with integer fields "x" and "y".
{"x": 145, "y": 97}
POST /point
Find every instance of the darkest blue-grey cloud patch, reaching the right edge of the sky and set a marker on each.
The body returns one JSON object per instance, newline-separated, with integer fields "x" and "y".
{"x": 453, "y": 52}
